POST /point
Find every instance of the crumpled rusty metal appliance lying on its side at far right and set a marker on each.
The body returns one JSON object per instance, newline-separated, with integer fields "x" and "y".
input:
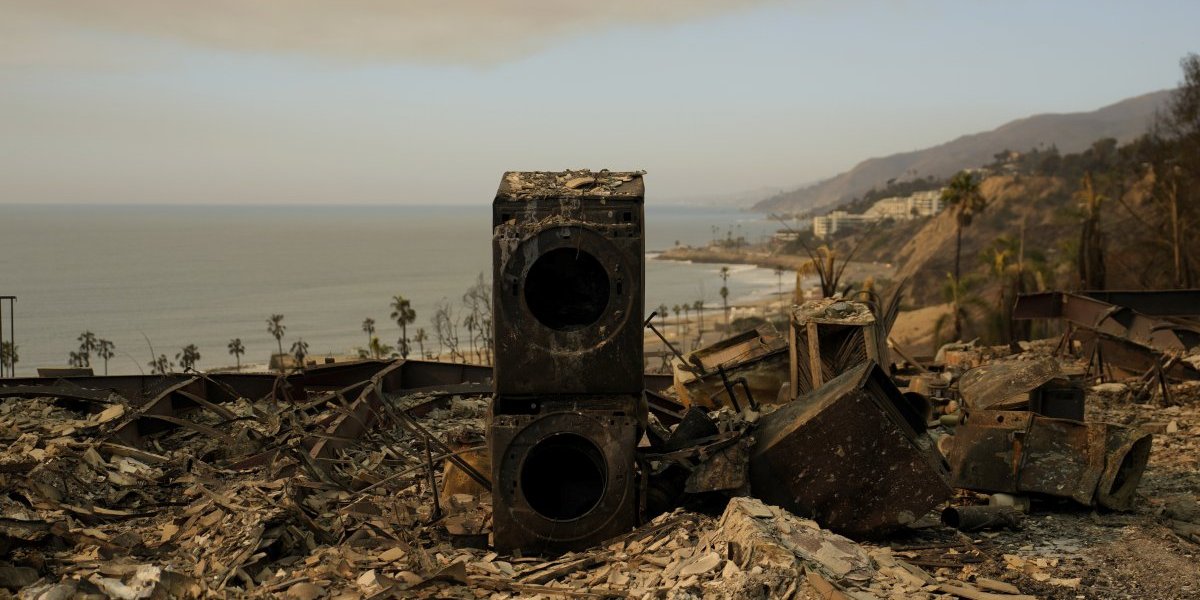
{"x": 1018, "y": 452}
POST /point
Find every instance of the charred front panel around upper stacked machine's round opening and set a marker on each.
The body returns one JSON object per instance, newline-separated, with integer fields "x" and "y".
{"x": 568, "y": 311}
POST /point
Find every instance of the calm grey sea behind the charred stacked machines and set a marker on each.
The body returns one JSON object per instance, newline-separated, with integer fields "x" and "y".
{"x": 205, "y": 275}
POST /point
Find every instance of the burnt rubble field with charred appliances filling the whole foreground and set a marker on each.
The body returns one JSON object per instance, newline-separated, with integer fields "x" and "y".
{"x": 815, "y": 463}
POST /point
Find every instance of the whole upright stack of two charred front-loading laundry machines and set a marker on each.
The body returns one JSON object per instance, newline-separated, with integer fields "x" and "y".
{"x": 569, "y": 406}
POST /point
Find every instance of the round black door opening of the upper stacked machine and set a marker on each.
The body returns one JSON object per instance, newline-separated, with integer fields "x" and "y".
{"x": 567, "y": 290}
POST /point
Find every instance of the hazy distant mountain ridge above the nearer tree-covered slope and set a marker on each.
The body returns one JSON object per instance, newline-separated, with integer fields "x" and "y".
{"x": 1070, "y": 133}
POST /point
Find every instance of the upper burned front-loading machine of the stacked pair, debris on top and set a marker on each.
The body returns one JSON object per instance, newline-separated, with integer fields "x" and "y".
{"x": 569, "y": 257}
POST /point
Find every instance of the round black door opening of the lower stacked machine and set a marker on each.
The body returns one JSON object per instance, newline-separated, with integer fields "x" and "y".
{"x": 565, "y": 477}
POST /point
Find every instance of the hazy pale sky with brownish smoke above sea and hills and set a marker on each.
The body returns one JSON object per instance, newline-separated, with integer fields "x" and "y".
{"x": 427, "y": 103}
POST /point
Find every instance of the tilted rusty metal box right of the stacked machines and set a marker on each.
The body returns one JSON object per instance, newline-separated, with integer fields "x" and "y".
{"x": 853, "y": 455}
